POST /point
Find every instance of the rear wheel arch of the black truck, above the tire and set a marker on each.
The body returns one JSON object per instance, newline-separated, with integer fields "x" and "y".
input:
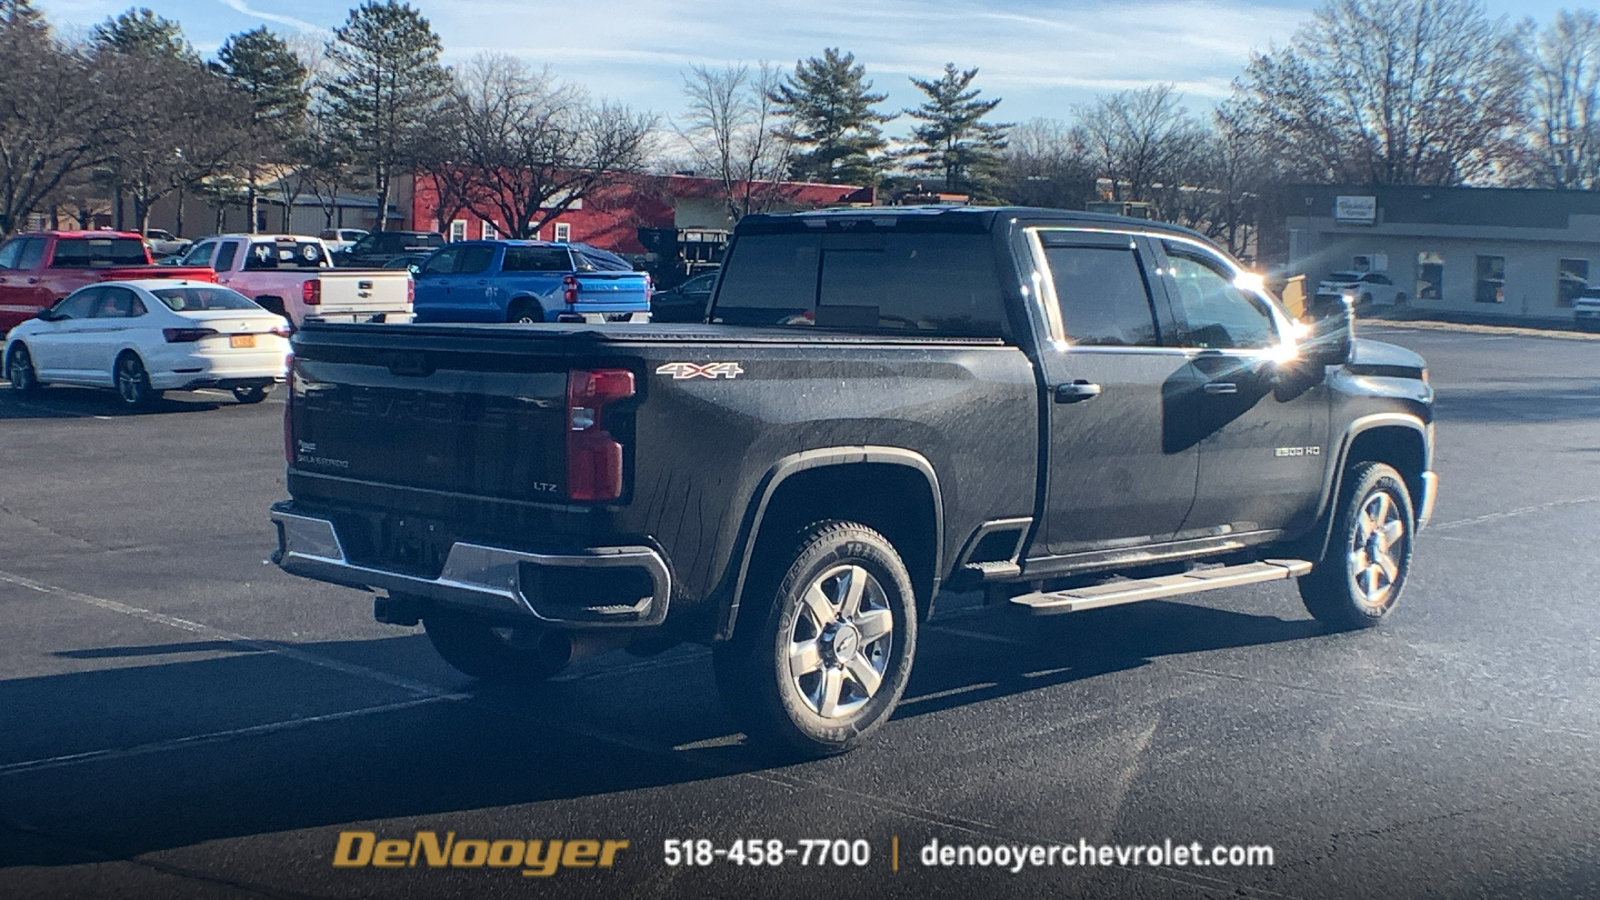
{"x": 905, "y": 505}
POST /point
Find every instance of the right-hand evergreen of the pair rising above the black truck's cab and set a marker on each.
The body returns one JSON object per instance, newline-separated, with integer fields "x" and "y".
{"x": 956, "y": 143}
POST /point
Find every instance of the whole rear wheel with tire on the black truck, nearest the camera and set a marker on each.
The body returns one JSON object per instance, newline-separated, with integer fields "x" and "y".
{"x": 823, "y": 648}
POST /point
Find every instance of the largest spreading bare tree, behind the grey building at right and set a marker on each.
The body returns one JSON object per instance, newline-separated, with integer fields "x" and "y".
{"x": 1390, "y": 92}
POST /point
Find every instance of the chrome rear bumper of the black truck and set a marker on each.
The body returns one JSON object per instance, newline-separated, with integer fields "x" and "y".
{"x": 486, "y": 579}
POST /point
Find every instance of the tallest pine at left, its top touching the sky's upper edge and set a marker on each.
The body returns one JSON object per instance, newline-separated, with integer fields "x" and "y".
{"x": 390, "y": 86}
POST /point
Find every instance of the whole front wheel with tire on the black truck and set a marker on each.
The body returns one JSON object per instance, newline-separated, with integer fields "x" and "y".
{"x": 1361, "y": 576}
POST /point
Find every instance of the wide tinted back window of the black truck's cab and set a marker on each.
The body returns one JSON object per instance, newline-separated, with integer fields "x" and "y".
{"x": 873, "y": 283}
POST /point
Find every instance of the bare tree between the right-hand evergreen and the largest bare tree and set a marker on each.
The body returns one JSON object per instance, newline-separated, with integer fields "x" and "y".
{"x": 1140, "y": 139}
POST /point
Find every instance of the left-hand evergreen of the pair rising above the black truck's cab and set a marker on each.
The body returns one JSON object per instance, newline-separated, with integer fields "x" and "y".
{"x": 828, "y": 105}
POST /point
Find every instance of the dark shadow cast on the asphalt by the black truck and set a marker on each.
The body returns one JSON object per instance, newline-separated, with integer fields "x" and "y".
{"x": 378, "y": 752}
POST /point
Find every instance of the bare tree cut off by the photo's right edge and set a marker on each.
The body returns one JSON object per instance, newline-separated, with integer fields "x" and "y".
{"x": 1566, "y": 106}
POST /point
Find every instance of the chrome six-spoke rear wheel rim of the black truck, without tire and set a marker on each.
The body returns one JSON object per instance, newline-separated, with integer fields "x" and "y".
{"x": 841, "y": 646}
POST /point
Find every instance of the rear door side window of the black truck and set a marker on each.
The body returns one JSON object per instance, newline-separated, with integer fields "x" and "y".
{"x": 1105, "y": 297}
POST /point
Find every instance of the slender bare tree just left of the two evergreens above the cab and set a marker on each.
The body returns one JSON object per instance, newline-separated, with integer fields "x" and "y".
{"x": 730, "y": 129}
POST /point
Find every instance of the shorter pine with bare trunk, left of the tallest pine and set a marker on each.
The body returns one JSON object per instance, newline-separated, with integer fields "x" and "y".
{"x": 263, "y": 68}
